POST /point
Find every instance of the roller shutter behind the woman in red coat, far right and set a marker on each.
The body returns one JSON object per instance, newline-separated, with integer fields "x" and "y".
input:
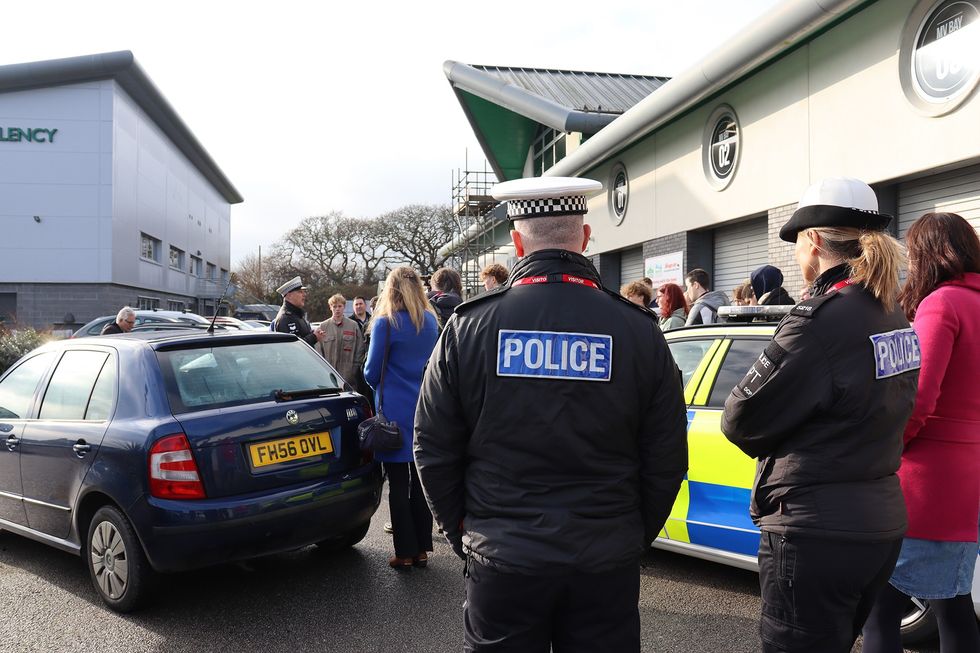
{"x": 956, "y": 191}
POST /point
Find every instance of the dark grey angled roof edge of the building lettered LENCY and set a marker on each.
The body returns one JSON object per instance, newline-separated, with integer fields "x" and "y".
{"x": 122, "y": 67}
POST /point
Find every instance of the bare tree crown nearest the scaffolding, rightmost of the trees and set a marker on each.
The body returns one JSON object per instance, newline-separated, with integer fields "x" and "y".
{"x": 415, "y": 233}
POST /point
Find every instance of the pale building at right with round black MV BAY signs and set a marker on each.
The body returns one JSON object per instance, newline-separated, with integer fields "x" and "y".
{"x": 704, "y": 170}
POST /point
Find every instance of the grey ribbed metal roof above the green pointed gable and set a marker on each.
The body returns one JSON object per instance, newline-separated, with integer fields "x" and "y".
{"x": 582, "y": 91}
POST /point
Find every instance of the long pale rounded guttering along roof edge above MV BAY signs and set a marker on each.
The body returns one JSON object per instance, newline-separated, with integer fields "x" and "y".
{"x": 775, "y": 33}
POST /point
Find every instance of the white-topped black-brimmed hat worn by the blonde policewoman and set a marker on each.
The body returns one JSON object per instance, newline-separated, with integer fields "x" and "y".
{"x": 836, "y": 202}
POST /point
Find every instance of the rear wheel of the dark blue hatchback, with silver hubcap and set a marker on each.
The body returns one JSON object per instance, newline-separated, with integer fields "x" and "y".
{"x": 119, "y": 569}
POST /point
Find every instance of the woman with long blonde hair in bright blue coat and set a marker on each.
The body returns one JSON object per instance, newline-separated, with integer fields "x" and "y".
{"x": 405, "y": 321}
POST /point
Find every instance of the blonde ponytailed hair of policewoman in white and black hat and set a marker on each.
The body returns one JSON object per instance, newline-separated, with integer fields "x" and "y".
{"x": 875, "y": 259}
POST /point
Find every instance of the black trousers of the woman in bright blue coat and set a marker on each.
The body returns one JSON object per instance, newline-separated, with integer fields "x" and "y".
{"x": 411, "y": 521}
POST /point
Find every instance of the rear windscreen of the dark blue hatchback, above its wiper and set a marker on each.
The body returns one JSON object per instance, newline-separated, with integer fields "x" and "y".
{"x": 229, "y": 375}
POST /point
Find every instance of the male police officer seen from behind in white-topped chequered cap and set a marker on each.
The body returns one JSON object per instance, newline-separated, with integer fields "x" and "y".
{"x": 550, "y": 439}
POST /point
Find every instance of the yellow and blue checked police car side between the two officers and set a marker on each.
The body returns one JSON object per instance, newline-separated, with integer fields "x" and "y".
{"x": 712, "y": 506}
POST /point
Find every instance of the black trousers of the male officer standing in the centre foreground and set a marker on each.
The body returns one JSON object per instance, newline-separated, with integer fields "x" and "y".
{"x": 587, "y": 613}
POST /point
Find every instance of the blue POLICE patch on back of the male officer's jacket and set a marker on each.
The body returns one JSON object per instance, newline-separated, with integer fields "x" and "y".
{"x": 554, "y": 355}
